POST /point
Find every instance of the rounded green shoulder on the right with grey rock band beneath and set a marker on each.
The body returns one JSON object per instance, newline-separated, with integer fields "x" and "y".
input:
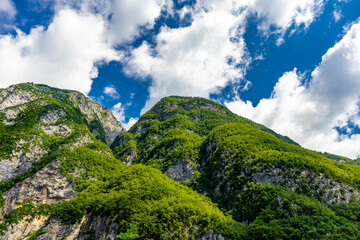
{"x": 233, "y": 154}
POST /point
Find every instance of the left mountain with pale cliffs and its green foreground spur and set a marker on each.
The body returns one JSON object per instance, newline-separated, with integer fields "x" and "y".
{"x": 58, "y": 181}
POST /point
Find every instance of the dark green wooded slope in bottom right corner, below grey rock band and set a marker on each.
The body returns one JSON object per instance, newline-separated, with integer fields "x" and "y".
{"x": 277, "y": 213}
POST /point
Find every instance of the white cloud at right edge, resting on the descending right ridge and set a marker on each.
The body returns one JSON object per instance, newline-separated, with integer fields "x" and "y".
{"x": 310, "y": 113}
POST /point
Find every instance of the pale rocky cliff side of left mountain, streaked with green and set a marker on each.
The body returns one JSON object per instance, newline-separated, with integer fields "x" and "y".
{"x": 36, "y": 122}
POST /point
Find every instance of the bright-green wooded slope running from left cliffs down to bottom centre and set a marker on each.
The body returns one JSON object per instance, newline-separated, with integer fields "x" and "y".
{"x": 134, "y": 195}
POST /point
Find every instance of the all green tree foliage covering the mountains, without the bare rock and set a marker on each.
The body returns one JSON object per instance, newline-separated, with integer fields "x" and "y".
{"x": 225, "y": 151}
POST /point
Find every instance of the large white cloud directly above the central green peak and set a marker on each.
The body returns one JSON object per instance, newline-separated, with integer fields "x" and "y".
{"x": 202, "y": 58}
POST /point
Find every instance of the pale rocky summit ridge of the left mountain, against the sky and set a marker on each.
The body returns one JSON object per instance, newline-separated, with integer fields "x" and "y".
{"x": 77, "y": 106}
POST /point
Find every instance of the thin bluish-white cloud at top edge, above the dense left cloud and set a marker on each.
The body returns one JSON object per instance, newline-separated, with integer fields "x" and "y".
{"x": 124, "y": 18}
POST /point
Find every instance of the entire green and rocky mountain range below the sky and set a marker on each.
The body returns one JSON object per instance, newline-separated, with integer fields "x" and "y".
{"x": 188, "y": 169}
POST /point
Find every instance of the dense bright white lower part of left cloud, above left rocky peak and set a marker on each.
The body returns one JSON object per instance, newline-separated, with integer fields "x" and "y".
{"x": 65, "y": 55}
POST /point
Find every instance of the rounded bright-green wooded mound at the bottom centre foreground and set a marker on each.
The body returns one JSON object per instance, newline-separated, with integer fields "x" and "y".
{"x": 143, "y": 196}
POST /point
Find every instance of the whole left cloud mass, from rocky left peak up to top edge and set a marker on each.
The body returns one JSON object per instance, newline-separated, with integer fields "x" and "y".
{"x": 67, "y": 53}
